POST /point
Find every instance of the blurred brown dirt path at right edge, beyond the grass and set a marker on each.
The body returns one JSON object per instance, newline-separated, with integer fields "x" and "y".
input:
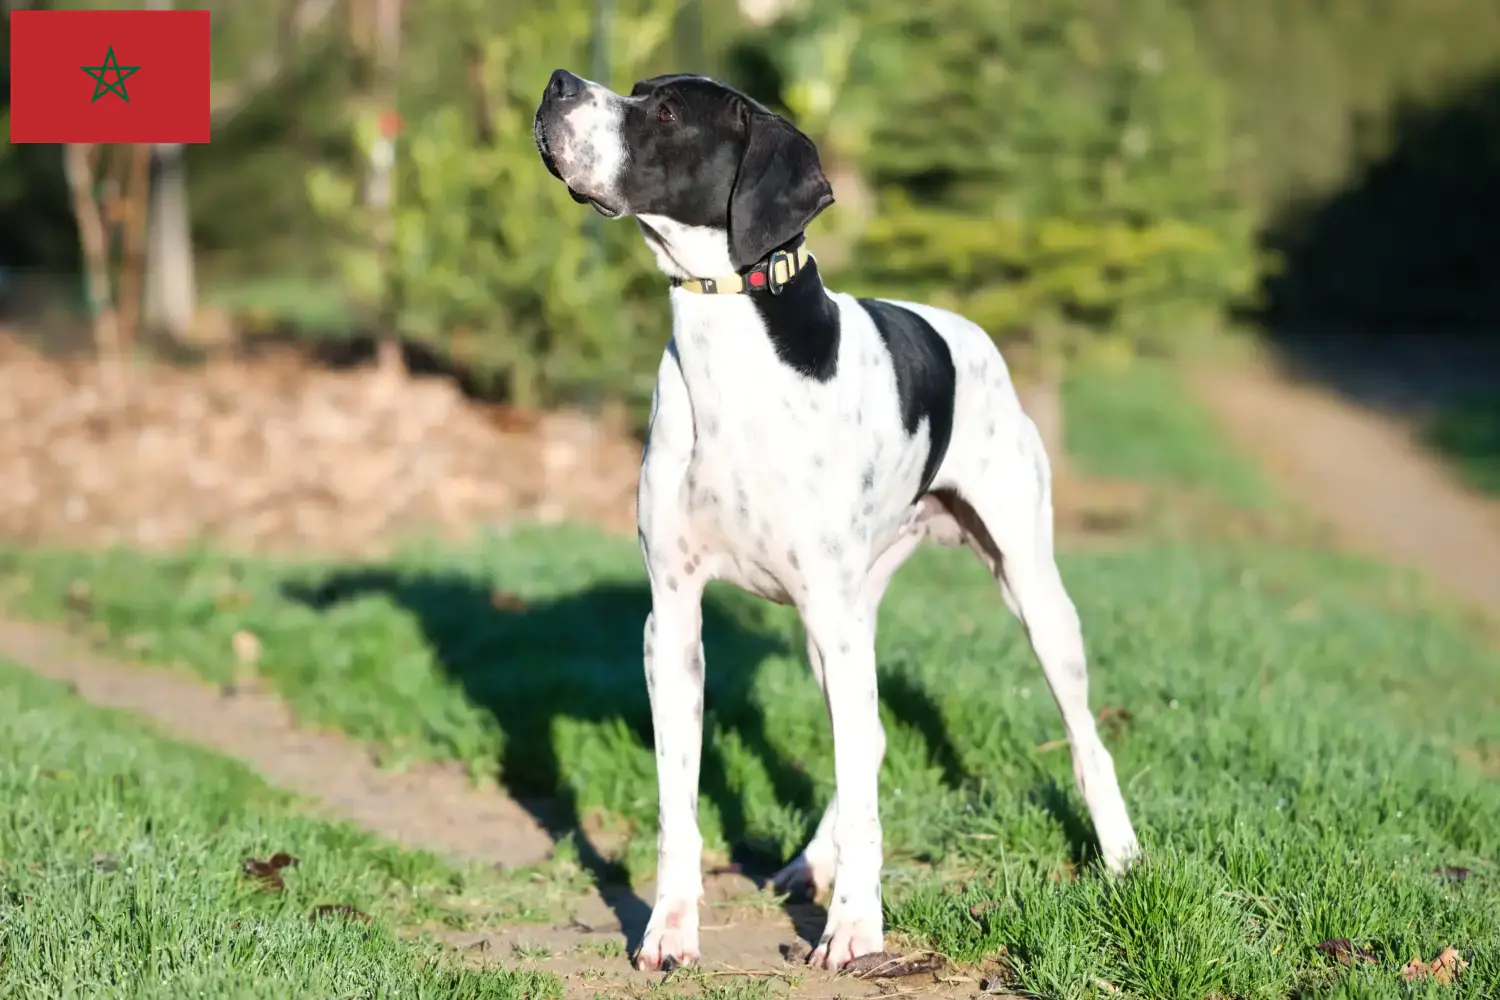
{"x": 1361, "y": 473}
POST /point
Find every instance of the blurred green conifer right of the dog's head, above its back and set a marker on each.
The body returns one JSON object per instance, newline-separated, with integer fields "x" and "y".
{"x": 1057, "y": 166}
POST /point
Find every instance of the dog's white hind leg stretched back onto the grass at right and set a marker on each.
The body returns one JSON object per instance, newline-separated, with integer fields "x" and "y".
{"x": 1007, "y": 515}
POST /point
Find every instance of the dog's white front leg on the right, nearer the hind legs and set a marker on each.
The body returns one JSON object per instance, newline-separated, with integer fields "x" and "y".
{"x": 845, "y": 638}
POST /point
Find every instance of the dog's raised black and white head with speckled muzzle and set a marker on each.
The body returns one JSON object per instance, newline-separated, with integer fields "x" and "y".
{"x": 715, "y": 179}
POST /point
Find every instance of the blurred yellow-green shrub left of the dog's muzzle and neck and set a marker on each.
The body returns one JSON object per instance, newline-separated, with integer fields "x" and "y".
{"x": 493, "y": 260}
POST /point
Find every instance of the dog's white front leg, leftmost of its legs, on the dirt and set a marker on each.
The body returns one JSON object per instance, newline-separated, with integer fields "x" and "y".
{"x": 674, "y": 662}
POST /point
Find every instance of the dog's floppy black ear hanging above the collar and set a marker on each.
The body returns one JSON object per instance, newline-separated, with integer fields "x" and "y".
{"x": 779, "y": 190}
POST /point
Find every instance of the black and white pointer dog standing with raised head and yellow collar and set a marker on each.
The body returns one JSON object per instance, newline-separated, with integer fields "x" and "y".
{"x": 803, "y": 443}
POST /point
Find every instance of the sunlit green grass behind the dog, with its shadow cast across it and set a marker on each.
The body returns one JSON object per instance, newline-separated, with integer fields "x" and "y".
{"x": 1295, "y": 753}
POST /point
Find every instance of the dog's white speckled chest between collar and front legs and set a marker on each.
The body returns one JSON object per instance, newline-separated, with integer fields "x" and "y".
{"x": 793, "y": 482}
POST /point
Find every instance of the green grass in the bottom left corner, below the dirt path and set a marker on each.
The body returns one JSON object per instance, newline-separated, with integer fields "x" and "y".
{"x": 121, "y": 861}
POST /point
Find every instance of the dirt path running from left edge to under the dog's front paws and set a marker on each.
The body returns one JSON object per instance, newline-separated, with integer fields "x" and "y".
{"x": 439, "y": 809}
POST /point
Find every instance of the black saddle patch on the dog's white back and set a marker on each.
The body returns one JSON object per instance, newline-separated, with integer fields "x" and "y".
{"x": 926, "y": 379}
